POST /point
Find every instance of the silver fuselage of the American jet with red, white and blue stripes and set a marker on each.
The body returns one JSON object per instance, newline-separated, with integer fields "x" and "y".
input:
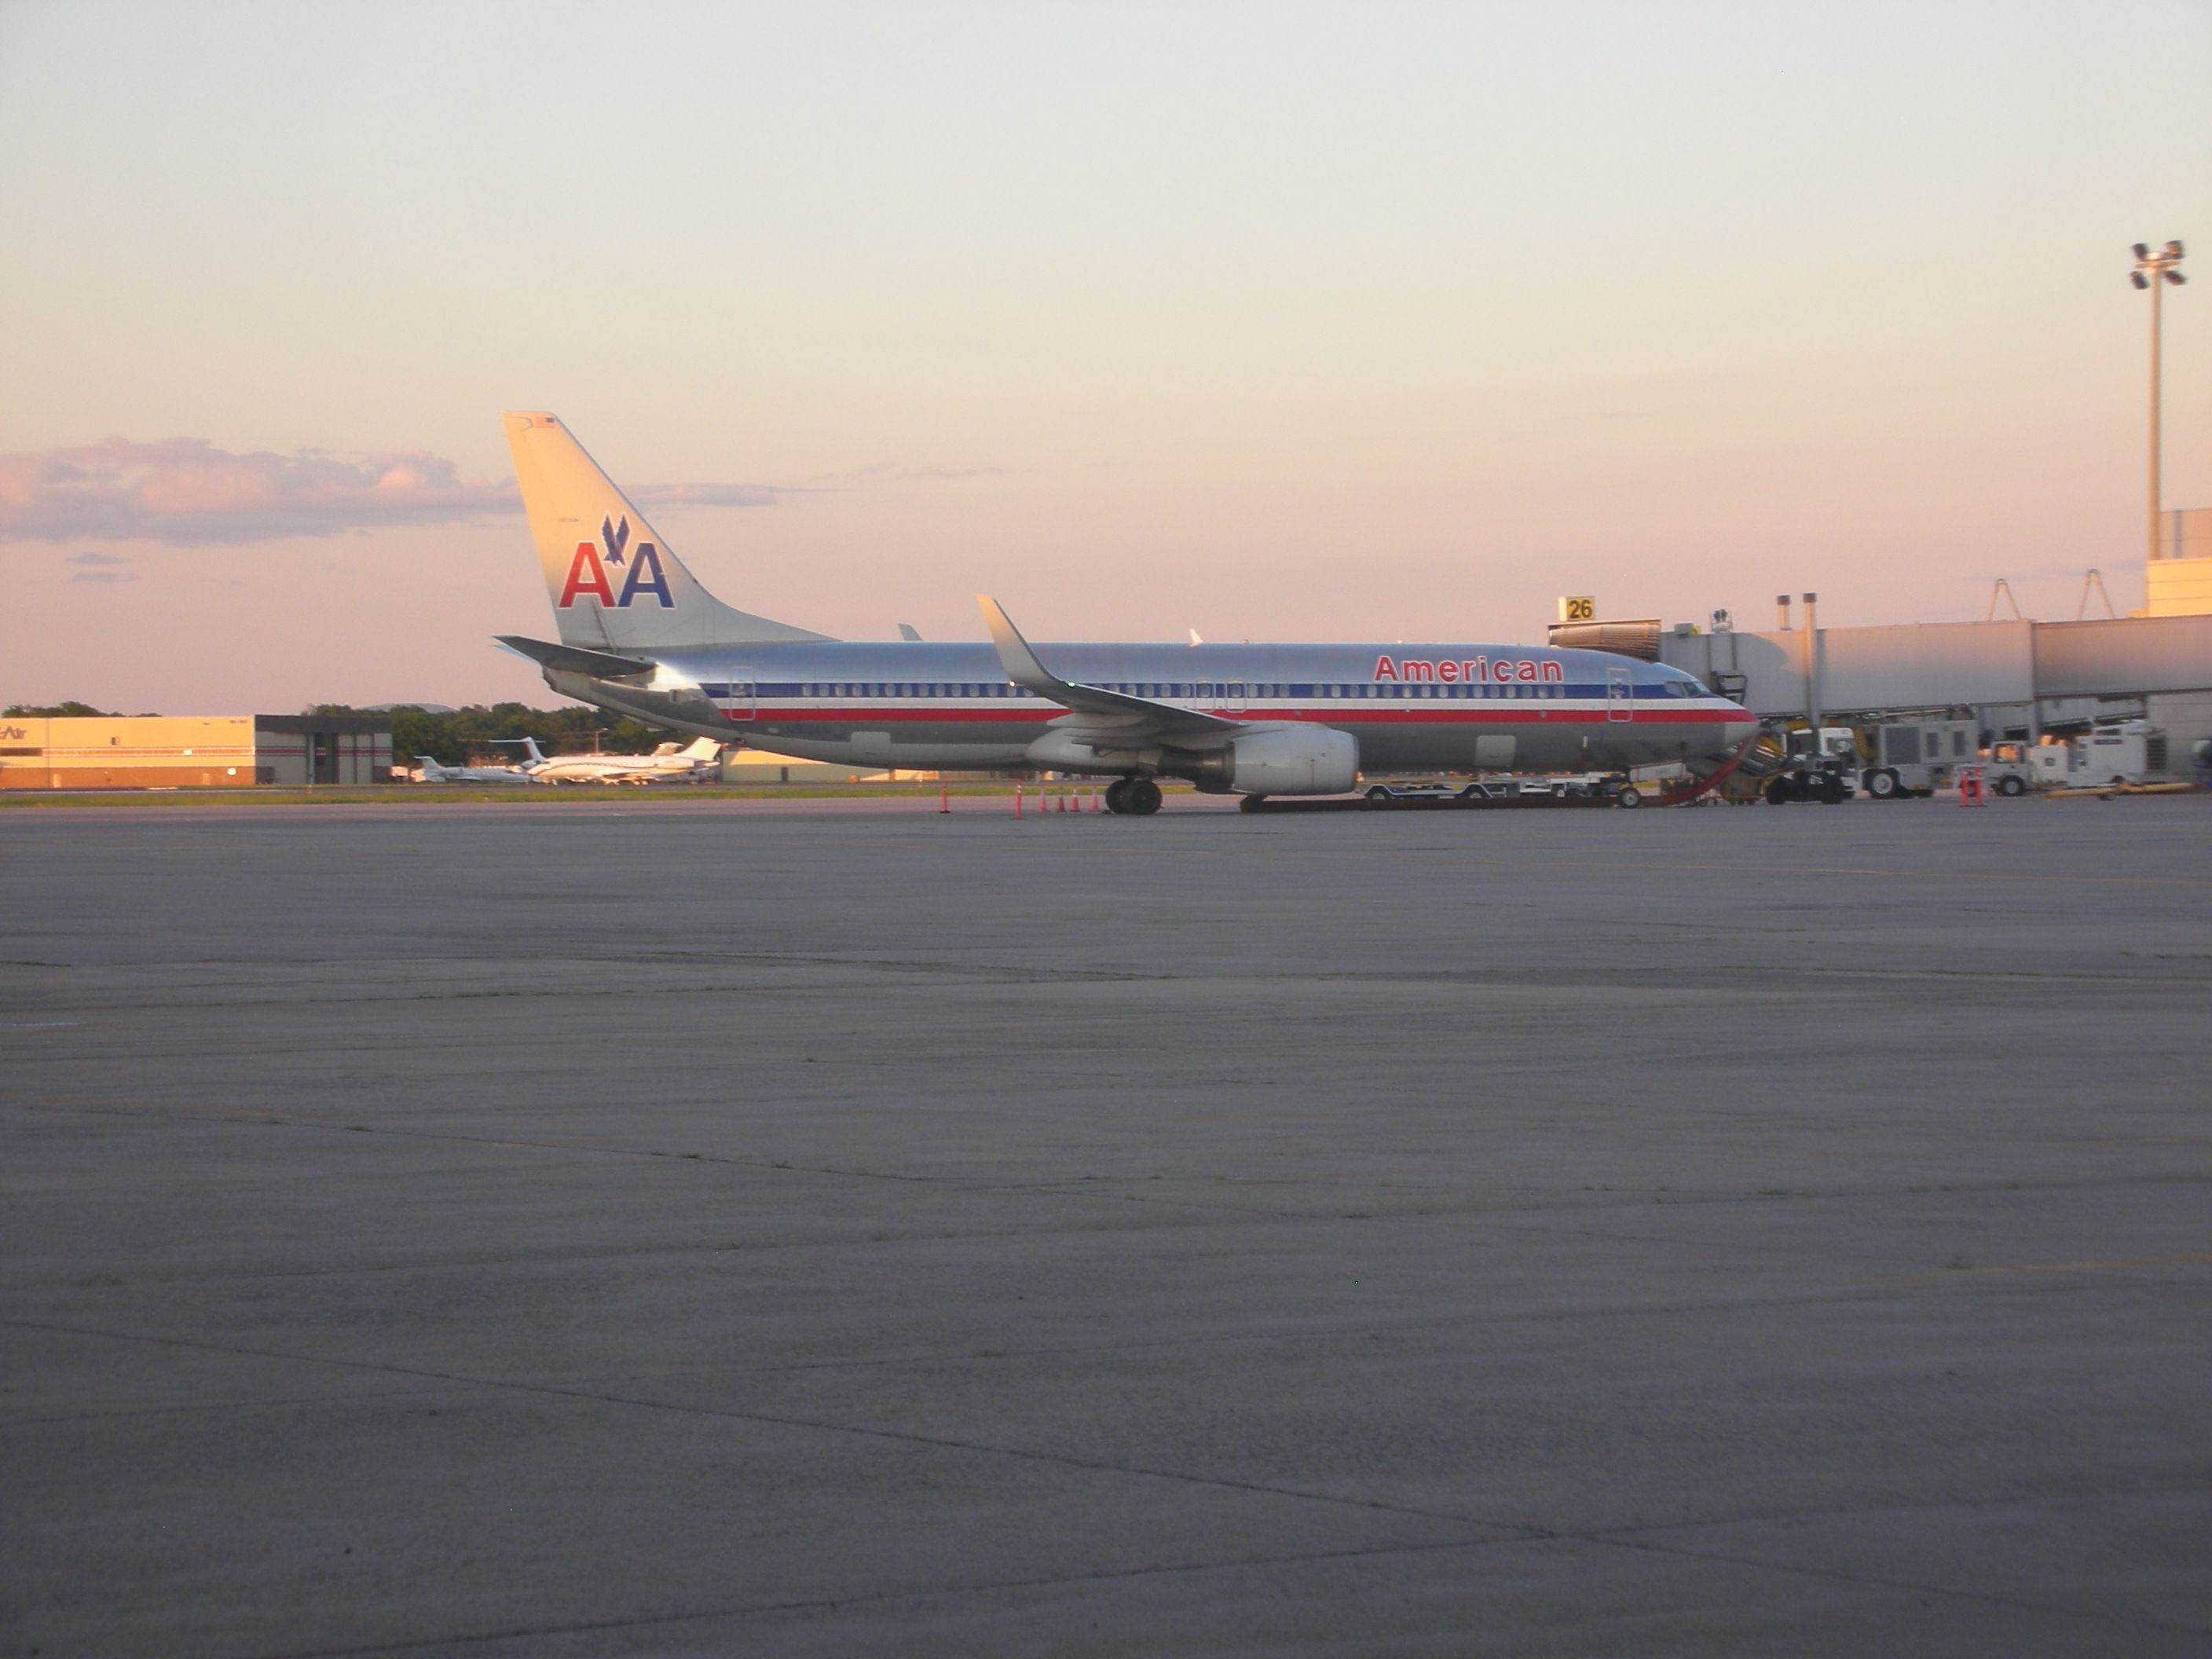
{"x": 1410, "y": 707}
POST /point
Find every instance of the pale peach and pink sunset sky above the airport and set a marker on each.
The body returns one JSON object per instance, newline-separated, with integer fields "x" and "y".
{"x": 1275, "y": 322}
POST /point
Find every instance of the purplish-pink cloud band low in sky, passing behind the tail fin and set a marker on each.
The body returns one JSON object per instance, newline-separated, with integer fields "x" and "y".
{"x": 191, "y": 494}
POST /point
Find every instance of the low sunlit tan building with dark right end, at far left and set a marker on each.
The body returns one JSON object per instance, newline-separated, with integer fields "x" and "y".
{"x": 194, "y": 751}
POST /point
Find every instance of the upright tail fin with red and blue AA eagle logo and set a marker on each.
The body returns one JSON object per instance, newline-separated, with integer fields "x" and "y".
{"x": 612, "y": 578}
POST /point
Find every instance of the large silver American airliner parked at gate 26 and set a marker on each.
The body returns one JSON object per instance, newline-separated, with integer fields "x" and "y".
{"x": 640, "y": 636}
